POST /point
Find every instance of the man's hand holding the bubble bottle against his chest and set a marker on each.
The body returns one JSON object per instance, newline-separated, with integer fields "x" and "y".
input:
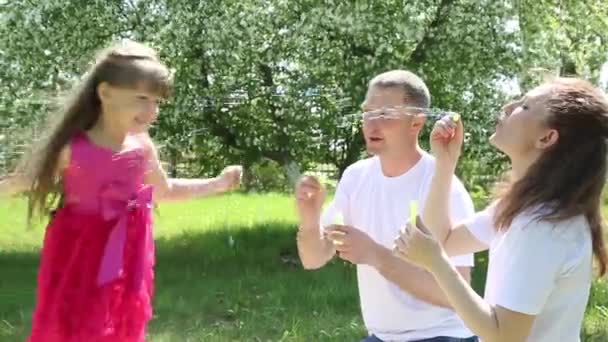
{"x": 354, "y": 245}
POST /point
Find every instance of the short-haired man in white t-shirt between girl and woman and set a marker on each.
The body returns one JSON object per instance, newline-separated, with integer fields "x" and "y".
{"x": 399, "y": 301}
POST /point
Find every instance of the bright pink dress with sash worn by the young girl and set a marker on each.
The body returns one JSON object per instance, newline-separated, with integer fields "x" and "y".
{"x": 95, "y": 281}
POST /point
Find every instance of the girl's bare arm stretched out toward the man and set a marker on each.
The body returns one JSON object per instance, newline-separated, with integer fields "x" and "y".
{"x": 176, "y": 189}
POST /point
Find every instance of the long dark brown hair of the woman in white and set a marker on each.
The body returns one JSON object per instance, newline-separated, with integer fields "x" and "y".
{"x": 571, "y": 174}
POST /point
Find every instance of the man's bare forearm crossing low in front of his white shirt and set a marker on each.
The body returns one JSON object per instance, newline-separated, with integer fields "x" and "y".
{"x": 413, "y": 279}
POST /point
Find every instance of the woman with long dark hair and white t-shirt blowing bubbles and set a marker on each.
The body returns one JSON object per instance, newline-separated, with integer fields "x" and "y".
{"x": 544, "y": 227}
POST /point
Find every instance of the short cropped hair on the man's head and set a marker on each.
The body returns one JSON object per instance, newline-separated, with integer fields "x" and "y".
{"x": 415, "y": 90}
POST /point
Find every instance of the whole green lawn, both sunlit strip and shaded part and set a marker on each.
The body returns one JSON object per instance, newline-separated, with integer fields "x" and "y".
{"x": 208, "y": 289}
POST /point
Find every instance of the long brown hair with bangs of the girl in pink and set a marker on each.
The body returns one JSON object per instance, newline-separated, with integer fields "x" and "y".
{"x": 126, "y": 64}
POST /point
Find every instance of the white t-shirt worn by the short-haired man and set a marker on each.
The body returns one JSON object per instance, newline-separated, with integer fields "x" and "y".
{"x": 379, "y": 206}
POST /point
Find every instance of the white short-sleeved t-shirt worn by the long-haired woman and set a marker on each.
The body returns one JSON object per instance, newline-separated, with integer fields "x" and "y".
{"x": 539, "y": 268}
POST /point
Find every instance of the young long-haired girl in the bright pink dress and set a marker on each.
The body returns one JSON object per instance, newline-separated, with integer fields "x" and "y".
{"x": 95, "y": 281}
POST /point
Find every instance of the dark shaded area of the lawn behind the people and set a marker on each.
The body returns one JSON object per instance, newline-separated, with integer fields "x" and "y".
{"x": 237, "y": 284}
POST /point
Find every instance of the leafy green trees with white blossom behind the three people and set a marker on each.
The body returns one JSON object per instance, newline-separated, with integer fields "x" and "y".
{"x": 281, "y": 80}
